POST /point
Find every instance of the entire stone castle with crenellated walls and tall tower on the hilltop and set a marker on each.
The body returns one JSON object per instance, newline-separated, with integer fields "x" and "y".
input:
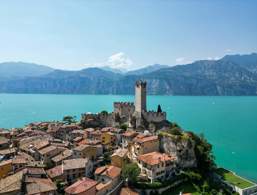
{"x": 134, "y": 115}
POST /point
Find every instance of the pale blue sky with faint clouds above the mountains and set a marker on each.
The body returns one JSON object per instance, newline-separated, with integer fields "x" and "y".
{"x": 125, "y": 34}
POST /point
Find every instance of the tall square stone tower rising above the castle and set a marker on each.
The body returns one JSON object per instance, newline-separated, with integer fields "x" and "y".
{"x": 140, "y": 96}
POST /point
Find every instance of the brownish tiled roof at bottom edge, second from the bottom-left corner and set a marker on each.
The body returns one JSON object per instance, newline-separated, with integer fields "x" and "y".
{"x": 40, "y": 185}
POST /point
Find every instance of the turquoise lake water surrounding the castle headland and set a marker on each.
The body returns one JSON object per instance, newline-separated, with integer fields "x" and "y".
{"x": 229, "y": 123}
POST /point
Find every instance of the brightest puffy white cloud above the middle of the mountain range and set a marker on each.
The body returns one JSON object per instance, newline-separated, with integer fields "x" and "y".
{"x": 120, "y": 61}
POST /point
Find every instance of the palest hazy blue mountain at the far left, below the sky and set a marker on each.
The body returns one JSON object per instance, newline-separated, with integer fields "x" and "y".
{"x": 21, "y": 69}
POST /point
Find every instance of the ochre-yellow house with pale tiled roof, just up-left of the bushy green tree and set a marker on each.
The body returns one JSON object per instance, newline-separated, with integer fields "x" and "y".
{"x": 119, "y": 158}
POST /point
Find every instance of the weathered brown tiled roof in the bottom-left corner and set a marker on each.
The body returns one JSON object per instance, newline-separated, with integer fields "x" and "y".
{"x": 11, "y": 183}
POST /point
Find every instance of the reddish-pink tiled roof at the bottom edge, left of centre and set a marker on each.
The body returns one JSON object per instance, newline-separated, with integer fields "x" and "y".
{"x": 82, "y": 185}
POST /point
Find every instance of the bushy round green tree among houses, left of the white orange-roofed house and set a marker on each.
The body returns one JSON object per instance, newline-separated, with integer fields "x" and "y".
{"x": 131, "y": 172}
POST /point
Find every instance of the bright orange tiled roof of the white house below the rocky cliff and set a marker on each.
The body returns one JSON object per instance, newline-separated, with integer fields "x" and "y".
{"x": 154, "y": 158}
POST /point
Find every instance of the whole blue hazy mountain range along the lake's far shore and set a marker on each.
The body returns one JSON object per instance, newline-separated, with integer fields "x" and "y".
{"x": 231, "y": 75}
